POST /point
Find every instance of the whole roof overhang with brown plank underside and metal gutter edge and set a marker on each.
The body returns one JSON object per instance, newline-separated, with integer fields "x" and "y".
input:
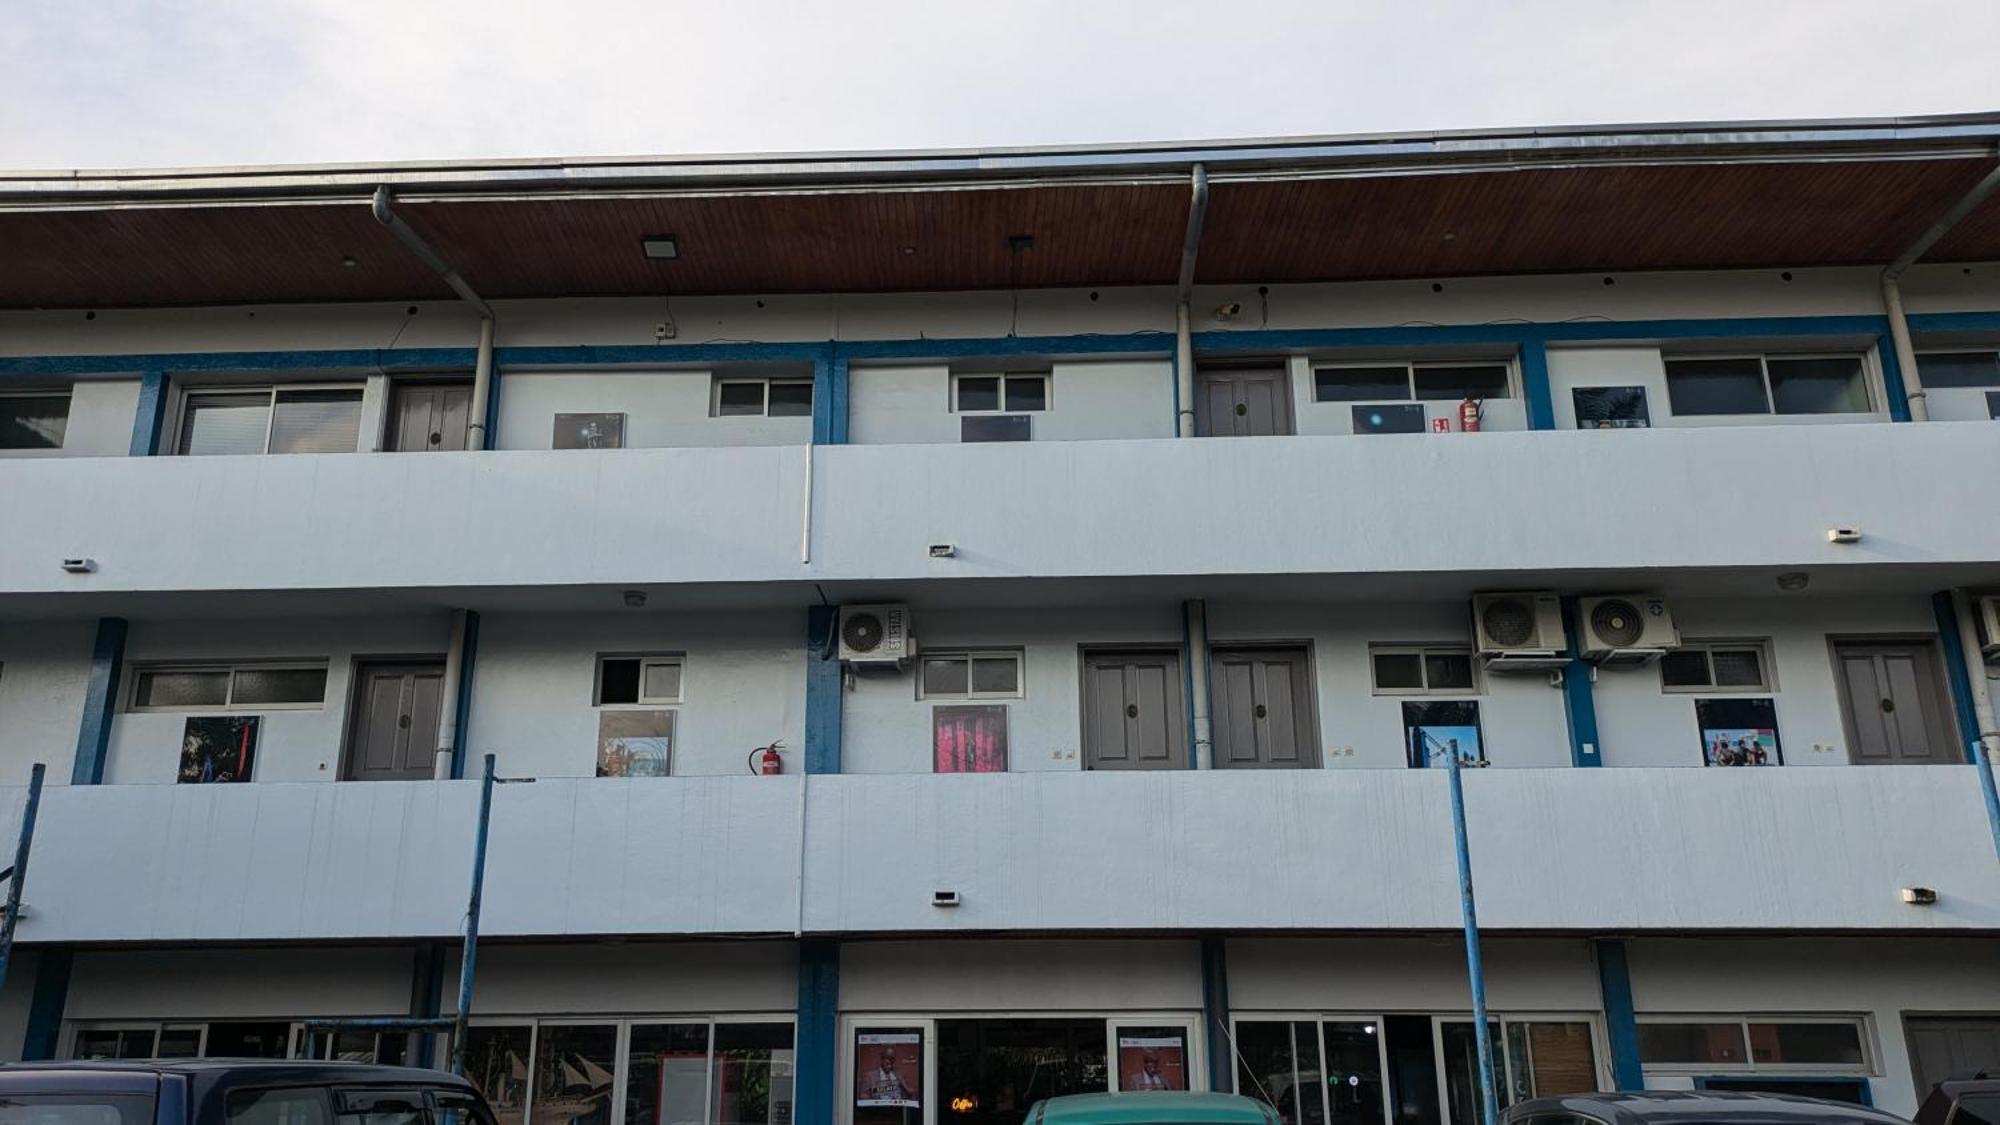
{"x": 1739, "y": 195}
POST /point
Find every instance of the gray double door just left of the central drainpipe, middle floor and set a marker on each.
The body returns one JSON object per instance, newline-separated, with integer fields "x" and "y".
{"x": 1135, "y": 712}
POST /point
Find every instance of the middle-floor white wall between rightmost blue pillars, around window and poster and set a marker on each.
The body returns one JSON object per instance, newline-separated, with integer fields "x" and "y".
{"x": 1643, "y": 726}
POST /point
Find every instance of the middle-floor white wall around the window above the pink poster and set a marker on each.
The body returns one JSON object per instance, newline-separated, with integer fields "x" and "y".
{"x": 889, "y": 730}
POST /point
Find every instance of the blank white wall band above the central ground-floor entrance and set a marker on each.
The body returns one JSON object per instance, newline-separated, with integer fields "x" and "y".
{"x": 1019, "y": 976}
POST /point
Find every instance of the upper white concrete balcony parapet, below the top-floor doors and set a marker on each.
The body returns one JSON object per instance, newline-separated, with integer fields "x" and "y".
{"x": 1313, "y": 505}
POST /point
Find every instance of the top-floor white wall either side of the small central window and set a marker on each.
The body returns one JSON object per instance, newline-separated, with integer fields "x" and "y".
{"x": 1101, "y": 399}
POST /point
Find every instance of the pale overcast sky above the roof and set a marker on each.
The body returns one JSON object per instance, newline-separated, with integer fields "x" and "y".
{"x": 169, "y": 83}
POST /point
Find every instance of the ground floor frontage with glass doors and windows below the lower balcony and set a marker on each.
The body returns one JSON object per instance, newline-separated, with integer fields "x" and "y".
{"x": 939, "y": 1032}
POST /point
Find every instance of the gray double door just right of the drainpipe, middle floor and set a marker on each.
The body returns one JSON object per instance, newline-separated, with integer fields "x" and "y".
{"x": 1265, "y": 710}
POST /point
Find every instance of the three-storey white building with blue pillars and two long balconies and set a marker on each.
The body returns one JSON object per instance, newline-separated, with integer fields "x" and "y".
{"x": 927, "y": 710}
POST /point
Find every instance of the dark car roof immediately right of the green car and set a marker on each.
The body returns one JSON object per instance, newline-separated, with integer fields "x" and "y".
{"x": 1691, "y": 1108}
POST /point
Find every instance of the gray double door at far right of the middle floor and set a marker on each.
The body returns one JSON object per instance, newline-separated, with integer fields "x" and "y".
{"x": 1893, "y": 704}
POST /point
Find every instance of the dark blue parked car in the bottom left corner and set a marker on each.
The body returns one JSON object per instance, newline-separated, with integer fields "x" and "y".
{"x": 235, "y": 1092}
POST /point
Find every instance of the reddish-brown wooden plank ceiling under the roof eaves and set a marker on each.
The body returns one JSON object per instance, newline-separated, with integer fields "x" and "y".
{"x": 953, "y": 239}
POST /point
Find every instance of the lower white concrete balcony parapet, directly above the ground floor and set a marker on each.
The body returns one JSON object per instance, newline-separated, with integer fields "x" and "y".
{"x": 1553, "y": 850}
